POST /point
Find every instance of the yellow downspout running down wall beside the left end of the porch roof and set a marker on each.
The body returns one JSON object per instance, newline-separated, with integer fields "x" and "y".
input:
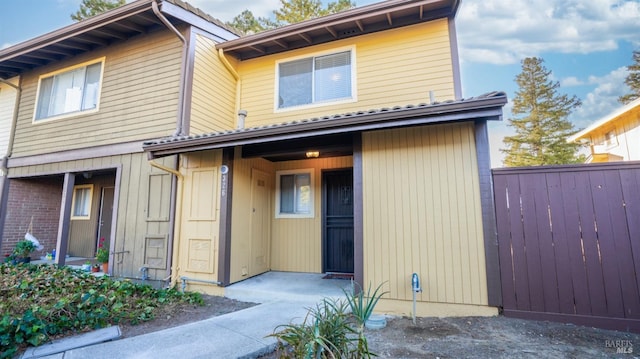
{"x": 174, "y": 225}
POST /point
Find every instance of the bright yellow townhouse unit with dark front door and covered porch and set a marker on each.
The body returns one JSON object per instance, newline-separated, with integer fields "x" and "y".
{"x": 343, "y": 145}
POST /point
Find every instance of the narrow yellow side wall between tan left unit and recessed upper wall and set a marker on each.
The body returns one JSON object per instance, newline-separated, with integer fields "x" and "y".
{"x": 214, "y": 91}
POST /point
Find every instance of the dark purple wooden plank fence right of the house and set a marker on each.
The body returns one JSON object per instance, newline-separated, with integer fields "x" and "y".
{"x": 569, "y": 243}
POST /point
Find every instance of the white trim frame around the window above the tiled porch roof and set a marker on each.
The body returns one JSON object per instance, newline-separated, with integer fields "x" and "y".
{"x": 353, "y": 98}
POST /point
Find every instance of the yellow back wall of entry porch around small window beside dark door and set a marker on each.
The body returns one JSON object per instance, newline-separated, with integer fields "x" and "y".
{"x": 296, "y": 243}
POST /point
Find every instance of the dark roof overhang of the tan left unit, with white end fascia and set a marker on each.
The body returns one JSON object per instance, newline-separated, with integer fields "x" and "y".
{"x": 119, "y": 24}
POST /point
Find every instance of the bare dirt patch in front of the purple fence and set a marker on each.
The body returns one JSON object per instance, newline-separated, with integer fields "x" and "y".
{"x": 495, "y": 337}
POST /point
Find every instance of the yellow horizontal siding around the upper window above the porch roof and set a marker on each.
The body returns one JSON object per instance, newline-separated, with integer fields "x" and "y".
{"x": 396, "y": 67}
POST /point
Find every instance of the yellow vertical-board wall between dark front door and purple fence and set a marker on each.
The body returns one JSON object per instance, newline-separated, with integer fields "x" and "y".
{"x": 422, "y": 213}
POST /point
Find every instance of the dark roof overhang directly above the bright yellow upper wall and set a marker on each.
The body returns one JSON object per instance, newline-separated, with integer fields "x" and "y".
{"x": 380, "y": 16}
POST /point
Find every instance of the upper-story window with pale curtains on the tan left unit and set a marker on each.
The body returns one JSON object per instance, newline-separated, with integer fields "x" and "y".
{"x": 71, "y": 90}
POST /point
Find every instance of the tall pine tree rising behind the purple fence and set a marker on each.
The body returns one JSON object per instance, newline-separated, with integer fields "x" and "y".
{"x": 542, "y": 128}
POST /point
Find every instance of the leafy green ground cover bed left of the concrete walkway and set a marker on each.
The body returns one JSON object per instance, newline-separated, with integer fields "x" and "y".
{"x": 39, "y": 303}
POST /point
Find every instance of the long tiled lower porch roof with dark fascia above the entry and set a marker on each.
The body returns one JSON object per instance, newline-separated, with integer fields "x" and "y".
{"x": 487, "y": 106}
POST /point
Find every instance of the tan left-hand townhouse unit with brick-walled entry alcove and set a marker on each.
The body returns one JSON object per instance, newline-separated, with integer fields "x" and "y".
{"x": 76, "y": 105}
